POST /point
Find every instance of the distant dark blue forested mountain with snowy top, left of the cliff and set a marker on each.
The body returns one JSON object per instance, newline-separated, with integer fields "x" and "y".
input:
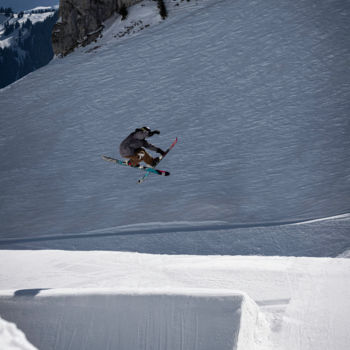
{"x": 25, "y": 42}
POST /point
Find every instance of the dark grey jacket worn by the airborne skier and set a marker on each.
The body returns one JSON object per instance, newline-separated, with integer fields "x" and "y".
{"x": 135, "y": 141}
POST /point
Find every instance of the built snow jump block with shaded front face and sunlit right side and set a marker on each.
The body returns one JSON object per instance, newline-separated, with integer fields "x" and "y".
{"x": 107, "y": 319}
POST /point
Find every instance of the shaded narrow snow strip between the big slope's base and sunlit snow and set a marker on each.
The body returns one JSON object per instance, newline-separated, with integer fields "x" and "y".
{"x": 327, "y": 238}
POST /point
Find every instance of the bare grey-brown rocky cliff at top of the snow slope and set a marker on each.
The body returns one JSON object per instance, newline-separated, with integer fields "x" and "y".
{"x": 81, "y": 21}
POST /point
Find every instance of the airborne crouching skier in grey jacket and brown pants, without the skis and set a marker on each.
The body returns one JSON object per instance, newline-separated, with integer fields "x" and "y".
{"x": 131, "y": 147}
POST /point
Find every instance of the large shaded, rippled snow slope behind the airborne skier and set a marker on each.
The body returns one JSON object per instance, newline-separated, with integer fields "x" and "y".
{"x": 257, "y": 93}
